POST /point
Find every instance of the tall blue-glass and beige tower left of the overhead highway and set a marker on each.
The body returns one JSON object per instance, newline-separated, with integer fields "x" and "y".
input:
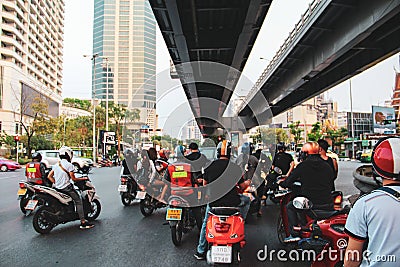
{"x": 124, "y": 34}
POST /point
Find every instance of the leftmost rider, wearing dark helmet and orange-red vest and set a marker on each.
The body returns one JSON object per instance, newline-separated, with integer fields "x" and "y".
{"x": 35, "y": 171}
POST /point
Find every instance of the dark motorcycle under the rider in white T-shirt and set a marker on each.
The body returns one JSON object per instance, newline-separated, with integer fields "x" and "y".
{"x": 59, "y": 208}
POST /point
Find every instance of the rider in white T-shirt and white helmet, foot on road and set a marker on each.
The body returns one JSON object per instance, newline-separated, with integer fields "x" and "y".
{"x": 60, "y": 176}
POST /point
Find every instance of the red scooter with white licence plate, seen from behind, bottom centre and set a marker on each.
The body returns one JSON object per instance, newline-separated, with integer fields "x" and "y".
{"x": 225, "y": 235}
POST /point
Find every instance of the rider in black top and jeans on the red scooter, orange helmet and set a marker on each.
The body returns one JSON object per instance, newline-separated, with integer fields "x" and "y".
{"x": 223, "y": 168}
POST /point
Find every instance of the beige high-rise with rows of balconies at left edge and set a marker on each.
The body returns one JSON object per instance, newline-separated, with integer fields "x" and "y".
{"x": 31, "y": 62}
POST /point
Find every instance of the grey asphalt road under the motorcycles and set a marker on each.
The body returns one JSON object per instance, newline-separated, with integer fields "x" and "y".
{"x": 122, "y": 236}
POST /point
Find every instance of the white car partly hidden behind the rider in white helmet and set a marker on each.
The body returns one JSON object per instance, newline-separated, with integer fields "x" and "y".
{"x": 50, "y": 157}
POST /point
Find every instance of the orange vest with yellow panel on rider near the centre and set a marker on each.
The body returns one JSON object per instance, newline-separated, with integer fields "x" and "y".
{"x": 180, "y": 174}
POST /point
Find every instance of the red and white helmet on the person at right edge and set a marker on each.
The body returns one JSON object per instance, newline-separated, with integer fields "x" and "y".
{"x": 386, "y": 158}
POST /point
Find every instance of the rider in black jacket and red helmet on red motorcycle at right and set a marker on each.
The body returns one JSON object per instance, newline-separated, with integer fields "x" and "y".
{"x": 316, "y": 178}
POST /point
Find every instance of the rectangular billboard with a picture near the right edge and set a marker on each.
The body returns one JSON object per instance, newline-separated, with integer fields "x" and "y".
{"x": 383, "y": 120}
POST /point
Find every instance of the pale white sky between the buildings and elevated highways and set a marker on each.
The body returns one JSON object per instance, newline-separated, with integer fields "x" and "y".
{"x": 371, "y": 87}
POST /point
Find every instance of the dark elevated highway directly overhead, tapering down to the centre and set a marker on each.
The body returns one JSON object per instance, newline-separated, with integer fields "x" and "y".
{"x": 222, "y": 32}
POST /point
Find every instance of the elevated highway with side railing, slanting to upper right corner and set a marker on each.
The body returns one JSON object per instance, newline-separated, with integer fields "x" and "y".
{"x": 333, "y": 41}
